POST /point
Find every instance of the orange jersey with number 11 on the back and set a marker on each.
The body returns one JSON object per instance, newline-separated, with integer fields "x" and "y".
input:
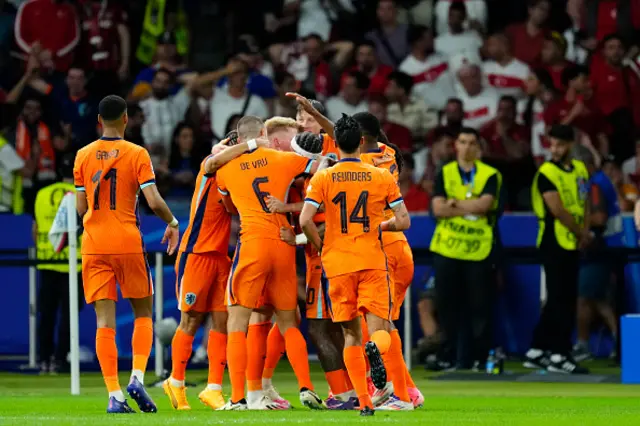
{"x": 112, "y": 172}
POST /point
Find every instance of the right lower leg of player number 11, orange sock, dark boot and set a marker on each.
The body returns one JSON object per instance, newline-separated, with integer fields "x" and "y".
{"x": 141, "y": 343}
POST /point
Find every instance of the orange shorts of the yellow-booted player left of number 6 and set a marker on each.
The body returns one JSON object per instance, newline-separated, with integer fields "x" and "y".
{"x": 201, "y": 280}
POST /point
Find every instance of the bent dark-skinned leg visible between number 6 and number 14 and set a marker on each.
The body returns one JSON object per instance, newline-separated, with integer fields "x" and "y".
{"x": 322, "y": 333}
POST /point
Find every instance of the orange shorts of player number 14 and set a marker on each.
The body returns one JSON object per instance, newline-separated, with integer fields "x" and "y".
{"x": 360, "y": 292}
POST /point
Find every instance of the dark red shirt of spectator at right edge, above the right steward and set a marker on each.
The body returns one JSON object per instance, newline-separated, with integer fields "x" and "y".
{"x": 614, "y": 88}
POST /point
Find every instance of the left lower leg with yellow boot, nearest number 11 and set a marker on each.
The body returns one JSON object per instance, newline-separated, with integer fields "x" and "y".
{"x": 181, "y": 347}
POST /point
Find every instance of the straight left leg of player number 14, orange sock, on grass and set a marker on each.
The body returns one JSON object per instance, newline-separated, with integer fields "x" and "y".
{"x": 355, "y": 362}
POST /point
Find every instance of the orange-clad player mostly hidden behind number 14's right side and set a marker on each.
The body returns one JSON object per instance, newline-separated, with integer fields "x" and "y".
{"x": 396, "y": 247}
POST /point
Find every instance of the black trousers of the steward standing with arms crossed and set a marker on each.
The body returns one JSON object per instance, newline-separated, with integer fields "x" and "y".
{"x": 464, "y": 300}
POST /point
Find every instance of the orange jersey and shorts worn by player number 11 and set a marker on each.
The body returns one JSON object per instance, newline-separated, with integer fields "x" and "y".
{"x": 112, "y": 175}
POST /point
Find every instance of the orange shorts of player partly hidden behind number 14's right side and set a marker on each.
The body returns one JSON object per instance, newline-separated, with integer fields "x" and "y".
{"x": 400, "y": 264}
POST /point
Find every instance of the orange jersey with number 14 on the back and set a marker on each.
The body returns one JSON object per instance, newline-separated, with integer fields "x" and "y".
{"x": 355, "y": 196}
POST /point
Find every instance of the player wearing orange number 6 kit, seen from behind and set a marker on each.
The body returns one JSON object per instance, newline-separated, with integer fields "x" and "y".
{"x": 262, "y": 264}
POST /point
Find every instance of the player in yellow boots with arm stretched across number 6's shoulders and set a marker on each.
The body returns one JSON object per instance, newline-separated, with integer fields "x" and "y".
{"x": 202, "y": 269}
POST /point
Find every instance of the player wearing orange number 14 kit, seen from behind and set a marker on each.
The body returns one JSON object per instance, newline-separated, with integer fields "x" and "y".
{"x": 355, "y": 196}
